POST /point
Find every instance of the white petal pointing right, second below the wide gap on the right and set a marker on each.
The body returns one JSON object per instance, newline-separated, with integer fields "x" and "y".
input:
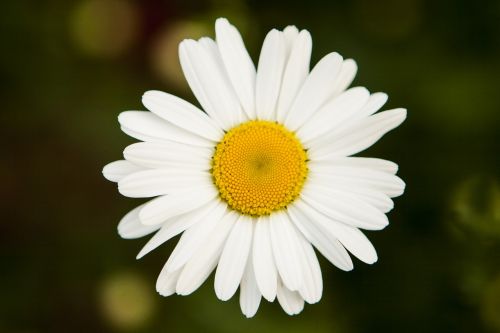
{"x": 354, "y": 177}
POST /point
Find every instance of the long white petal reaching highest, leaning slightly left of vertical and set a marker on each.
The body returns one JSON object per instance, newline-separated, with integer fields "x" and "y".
{"x": 238, "y": 64}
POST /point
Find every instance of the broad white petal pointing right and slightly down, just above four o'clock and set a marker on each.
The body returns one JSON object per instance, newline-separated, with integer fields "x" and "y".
{"x": 345, "y": 208}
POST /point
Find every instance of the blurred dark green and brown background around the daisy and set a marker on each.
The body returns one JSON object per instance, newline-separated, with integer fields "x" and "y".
{"x": 69, "y": 67}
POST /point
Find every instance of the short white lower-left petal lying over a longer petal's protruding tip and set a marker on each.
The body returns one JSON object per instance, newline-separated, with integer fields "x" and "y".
{"x": 162, "y": 208}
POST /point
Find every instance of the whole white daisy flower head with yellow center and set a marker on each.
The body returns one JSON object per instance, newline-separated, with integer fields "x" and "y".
{"x": 262, "y": 174}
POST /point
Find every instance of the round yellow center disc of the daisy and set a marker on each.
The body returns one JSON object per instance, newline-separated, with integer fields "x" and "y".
{"x": 259, "y": 167}
